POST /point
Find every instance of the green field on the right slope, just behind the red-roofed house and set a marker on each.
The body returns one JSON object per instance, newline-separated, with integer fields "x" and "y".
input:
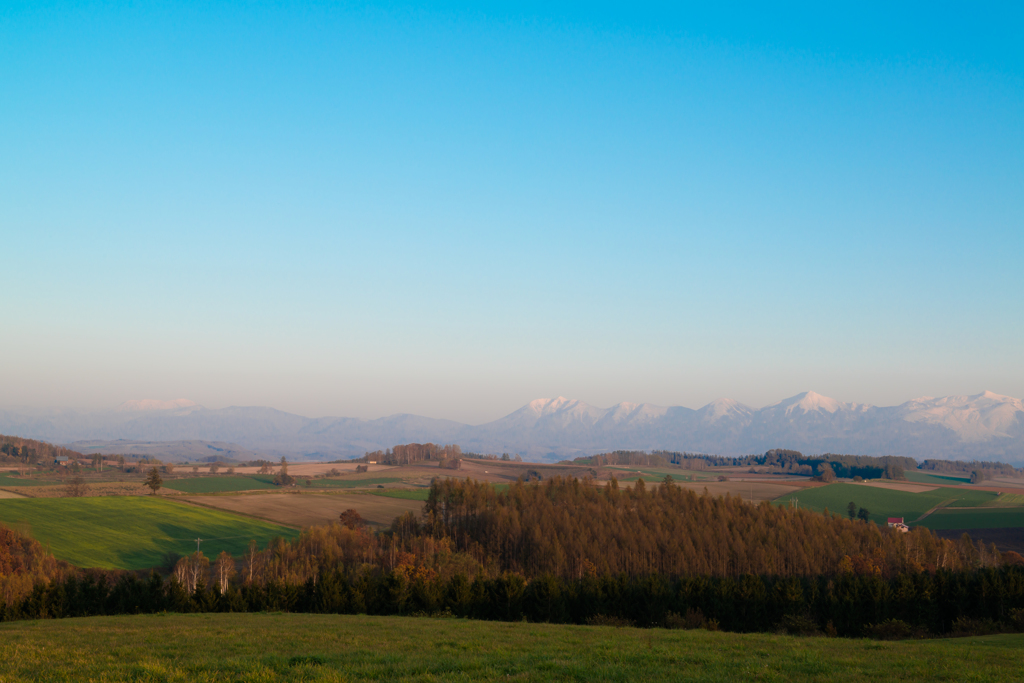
{"x": 883, "y": 503}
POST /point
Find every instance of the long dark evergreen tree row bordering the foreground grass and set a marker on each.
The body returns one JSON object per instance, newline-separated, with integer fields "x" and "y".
{"x": 846, "y": 606}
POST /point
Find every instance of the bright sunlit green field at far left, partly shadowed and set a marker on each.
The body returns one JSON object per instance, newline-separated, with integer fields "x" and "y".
{"x": 132, "y": 532}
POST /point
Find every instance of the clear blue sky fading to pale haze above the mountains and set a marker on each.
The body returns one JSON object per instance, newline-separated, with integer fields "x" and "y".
{"x": 451, "y": 209}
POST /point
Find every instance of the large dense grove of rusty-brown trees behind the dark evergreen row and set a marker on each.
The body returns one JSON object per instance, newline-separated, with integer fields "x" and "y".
{"x": 570, "y": 528}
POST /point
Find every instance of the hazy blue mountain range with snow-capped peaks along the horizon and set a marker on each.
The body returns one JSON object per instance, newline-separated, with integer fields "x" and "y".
{"x": 987, "y": 426}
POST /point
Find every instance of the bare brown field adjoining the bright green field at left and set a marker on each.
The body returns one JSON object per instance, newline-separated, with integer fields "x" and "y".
{"x": 301, "y": 510}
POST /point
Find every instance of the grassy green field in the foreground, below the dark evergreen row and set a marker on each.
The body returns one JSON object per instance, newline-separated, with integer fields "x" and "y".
{"x": 324, "y": 648}
